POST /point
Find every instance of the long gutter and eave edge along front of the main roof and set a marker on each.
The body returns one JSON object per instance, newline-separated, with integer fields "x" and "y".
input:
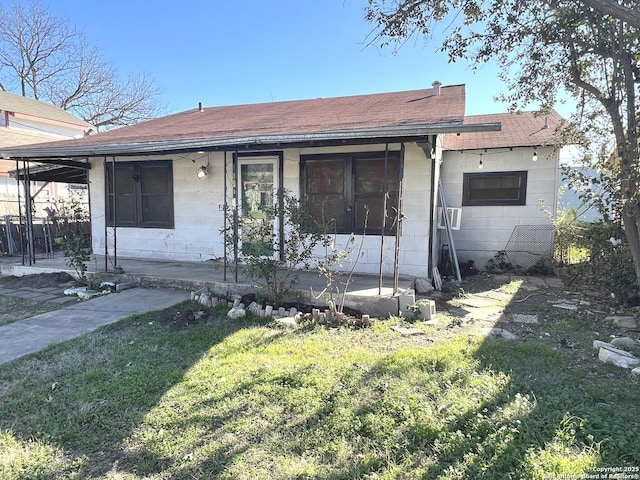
{"x": 232, "y": 143}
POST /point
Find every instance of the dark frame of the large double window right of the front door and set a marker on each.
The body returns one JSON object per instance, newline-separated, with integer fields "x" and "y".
{"x": 349, "y": 159}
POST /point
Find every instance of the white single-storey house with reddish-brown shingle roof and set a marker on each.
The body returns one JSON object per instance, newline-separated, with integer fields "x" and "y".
{"x": 159, "y": 188}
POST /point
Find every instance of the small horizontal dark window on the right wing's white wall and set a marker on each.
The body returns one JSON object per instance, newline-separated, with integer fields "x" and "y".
{"x": 494, "y": 188}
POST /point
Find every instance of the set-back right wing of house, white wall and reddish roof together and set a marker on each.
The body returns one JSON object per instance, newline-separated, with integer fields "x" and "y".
{"x": 506, "y": 186}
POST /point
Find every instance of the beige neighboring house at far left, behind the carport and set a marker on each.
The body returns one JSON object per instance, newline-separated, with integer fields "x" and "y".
{"x": 25, "y": 121}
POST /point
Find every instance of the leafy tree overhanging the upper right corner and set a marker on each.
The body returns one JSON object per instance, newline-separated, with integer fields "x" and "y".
{"x": 589, "y": 48}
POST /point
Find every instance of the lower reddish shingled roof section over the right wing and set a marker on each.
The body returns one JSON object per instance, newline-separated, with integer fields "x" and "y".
{"x": 521, "y": 129}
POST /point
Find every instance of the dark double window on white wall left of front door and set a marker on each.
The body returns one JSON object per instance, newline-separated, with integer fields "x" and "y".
{"x": 143, "y": 194}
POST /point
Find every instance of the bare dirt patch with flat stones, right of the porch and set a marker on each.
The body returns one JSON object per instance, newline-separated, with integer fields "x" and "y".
{"x": 564, "y": 317}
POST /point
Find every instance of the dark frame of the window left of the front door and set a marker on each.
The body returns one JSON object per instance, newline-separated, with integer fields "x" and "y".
{"x": 138, "y": 167}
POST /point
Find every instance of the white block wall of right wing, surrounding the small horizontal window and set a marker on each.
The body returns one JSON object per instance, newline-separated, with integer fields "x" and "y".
{"x": 485, "y": 230}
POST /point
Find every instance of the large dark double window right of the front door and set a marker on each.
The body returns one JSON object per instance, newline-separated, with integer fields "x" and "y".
{"x": 350, "y": 190}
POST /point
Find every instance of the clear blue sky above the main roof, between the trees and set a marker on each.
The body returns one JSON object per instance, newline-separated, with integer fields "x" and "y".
{"x": 226, "y": 52}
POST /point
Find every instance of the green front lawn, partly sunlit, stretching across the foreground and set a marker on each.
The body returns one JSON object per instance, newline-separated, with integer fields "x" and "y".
{"x": 244, "y": 400}
